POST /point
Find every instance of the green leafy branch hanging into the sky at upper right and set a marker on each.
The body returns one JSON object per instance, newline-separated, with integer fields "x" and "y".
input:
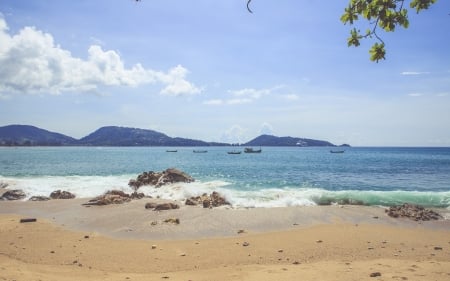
{"x": 384, "y": 14}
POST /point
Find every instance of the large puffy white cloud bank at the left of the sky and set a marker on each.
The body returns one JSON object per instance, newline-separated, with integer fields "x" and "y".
{"x": 31, "y": 62}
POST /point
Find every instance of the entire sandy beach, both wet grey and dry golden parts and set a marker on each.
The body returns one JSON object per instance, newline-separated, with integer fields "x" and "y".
{"x": 128, "y": 242}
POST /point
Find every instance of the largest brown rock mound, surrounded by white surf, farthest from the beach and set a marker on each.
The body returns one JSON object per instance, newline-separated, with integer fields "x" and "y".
{"x": 159, "y": 178}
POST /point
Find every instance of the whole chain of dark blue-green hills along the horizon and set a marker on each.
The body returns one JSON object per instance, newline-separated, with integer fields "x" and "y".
{"x": 26, "y": 135}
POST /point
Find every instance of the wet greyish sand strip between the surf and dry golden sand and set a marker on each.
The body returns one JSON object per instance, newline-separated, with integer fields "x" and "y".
{"x": 132, "y": 221}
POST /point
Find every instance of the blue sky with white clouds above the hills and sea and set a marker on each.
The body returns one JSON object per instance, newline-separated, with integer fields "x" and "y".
{"x": 212, "y": 71}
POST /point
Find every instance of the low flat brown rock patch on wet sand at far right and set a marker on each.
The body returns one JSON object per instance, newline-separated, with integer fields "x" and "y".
{"x": 415, "y": 212}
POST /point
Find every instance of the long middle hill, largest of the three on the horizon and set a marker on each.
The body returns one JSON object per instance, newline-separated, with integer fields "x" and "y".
{"x": 122, "y": 136}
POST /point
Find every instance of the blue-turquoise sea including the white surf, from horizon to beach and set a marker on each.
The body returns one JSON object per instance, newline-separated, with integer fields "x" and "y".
{"x": 279, "y": 176}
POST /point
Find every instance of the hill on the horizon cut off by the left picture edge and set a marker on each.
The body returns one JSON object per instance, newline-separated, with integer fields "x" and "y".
{"x": 24, "y": 135}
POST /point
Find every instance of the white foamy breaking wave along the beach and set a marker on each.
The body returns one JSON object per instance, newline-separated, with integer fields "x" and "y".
{"x": 91, "y": 186}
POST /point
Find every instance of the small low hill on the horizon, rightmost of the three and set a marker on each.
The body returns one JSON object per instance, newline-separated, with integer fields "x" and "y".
{"x": 268, "y": 140}
